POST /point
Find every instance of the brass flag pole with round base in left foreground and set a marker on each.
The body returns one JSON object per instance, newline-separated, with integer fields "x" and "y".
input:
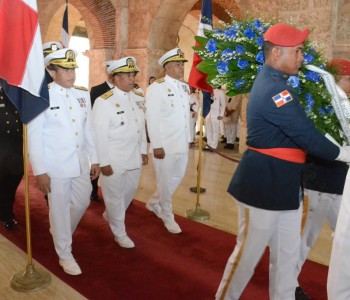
{"x": 31, "y": 279}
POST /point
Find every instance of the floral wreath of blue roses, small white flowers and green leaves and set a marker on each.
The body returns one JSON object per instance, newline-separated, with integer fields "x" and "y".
{"x": 233, "y": 56}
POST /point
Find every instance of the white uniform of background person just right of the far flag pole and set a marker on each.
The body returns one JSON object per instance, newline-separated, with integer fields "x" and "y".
{"x": 212, "y": 124}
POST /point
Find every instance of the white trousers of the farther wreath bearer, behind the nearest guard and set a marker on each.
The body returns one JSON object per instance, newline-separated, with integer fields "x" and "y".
{"x": 320, "y": 207}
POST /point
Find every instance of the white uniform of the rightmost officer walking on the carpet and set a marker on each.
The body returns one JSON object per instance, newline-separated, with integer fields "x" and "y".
{"x": 168, "y": 123}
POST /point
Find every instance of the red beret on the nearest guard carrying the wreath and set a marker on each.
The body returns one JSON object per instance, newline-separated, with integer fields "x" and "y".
{"x": 285, "y": 35}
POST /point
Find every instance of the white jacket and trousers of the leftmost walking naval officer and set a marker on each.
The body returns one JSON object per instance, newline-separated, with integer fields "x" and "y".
{"x": 61, "y": 144}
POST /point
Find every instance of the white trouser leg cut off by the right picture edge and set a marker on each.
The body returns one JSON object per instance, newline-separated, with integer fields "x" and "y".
{"x": 338, "y": 283}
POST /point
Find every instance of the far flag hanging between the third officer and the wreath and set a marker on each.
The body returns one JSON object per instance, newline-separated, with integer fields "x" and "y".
{"x": 197, "y": 79}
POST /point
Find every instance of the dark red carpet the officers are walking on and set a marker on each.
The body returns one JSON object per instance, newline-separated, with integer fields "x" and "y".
{"x": 162, "y": 266}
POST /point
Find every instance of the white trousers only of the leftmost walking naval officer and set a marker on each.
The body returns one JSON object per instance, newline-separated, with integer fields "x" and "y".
{"x": 68, "y": 200}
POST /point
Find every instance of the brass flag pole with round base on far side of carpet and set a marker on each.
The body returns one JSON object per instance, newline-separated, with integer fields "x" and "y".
{"x": 199, "y": 214}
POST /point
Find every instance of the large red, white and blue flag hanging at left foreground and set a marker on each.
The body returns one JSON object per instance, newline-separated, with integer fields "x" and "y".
{"x": 22, "y": 71}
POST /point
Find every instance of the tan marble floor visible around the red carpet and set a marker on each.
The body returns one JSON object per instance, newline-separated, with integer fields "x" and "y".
{"x": 215, "y": 176}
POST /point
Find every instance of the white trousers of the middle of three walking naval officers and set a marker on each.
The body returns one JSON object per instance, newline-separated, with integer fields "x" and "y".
{"x": 118, "y": 191}
